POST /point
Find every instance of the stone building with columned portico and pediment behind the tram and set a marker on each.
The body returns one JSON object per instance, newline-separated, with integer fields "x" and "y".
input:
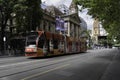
{"x": 69, "y": 15}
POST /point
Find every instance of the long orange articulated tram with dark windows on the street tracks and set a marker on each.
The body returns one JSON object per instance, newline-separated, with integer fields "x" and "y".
{"x": 41, "y": 44}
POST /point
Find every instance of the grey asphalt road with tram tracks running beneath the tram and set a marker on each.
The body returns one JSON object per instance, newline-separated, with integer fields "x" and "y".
{"x": 100, "y": 64}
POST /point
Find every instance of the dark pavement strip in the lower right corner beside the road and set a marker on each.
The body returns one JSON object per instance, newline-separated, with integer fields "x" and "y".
{"x": 113, "y": 70}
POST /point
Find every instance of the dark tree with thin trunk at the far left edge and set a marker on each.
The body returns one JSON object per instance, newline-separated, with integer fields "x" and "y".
{"x": 6, "y": 8}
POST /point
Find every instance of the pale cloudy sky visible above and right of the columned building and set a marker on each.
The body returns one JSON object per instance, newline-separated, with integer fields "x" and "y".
{"x": 82, "y": 14}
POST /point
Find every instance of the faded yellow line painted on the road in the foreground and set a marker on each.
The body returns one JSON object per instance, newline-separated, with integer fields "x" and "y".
{"x": 32, "y": 76}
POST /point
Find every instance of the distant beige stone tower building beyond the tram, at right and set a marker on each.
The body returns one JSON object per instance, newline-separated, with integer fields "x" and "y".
{"x": 99, "y": 34}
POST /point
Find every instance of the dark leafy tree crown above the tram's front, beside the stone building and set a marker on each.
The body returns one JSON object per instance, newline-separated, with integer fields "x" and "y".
{"x": 28, "y": 15}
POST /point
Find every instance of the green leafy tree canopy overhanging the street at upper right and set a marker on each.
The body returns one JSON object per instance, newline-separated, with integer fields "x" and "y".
{"x": 107, "y": 11}
